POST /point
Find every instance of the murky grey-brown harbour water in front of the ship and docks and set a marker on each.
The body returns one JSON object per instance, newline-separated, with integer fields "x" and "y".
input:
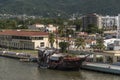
{"x": 11, "y": 69}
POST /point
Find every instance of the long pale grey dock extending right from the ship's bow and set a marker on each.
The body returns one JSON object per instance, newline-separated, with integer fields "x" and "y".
{"x": 100, "y": 67}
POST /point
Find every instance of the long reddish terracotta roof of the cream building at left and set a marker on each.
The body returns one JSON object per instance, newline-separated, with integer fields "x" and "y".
{"x": 23, "y": 33}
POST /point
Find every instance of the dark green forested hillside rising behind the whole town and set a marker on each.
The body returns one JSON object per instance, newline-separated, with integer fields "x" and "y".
{"x": 62, "y": 7}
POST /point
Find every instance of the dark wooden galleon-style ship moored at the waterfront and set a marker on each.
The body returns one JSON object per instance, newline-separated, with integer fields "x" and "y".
{"x": 53, "y": 60}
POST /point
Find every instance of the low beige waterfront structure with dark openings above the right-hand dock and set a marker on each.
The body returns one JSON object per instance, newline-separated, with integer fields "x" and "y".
{"x": 106, "y": 56}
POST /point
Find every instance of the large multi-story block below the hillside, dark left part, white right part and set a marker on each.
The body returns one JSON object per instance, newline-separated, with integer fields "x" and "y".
{"x": 105, "y": 22}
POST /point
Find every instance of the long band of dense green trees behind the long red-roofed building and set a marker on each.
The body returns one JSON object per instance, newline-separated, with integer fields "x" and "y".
{"x": 22, "y": 24}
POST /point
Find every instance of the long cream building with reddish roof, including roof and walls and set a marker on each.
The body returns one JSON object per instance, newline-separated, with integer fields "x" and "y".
{"x": 23, "y": 39}
